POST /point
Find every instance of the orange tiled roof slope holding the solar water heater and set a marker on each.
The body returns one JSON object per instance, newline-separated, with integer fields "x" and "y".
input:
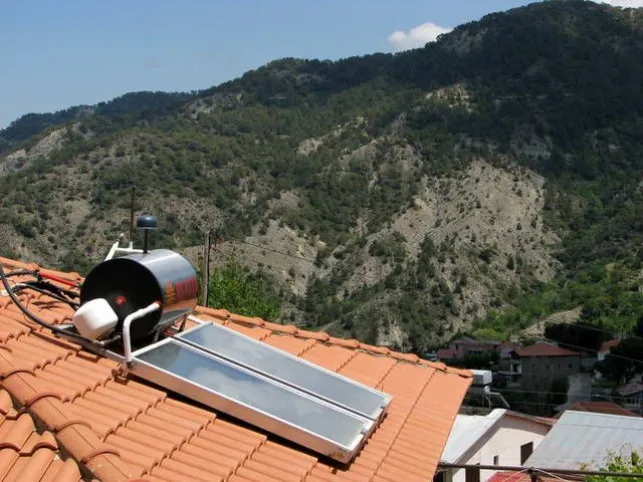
{"x": 121, "y": 429}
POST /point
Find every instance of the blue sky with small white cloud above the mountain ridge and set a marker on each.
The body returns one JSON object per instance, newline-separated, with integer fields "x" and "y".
{"x": 60, "y": 53}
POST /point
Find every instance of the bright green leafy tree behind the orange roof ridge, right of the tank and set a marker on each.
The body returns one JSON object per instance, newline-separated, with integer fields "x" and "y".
{"x": 239, "y": 290}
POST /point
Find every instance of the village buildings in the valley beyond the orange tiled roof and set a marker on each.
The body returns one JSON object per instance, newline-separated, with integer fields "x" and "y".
{"x": 537, "y": 405}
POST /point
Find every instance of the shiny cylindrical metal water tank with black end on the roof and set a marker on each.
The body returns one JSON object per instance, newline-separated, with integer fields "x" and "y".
{"x": 135, "y": 281}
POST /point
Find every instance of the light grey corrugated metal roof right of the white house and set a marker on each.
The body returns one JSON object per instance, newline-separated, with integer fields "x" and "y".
{"x": 584, "y": 438}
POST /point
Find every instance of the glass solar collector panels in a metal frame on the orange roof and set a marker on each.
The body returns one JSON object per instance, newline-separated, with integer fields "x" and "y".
{"x": 266, "y": 387}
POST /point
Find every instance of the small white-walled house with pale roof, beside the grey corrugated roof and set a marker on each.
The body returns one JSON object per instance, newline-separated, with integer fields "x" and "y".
{"x": 502, "y": 437}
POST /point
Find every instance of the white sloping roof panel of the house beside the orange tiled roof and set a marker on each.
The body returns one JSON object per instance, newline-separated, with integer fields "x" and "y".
{"x": 466, "y": 430}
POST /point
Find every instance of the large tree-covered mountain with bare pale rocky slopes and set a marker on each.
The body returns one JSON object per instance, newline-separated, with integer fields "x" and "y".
{"x": 481, "y": 183}
